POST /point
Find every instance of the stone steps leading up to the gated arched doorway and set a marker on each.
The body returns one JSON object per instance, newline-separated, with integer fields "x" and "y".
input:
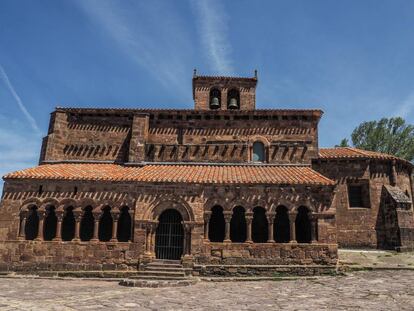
{"x": 160, "y": 273}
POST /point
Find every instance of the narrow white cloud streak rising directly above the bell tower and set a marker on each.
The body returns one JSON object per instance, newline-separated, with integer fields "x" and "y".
{"x": 213, "y": 30}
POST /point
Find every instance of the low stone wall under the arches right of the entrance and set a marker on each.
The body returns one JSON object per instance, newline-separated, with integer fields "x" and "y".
{"x": 268, "y": 254}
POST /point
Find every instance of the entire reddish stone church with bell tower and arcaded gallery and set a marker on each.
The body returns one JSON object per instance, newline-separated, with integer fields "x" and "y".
{"x": 223, "y": 186}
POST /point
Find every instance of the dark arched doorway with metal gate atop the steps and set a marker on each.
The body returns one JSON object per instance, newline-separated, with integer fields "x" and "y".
{"x": 169, "y": 237}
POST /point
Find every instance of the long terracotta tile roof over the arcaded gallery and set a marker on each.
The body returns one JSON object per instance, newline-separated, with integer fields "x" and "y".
{"x": 176, "y": 173}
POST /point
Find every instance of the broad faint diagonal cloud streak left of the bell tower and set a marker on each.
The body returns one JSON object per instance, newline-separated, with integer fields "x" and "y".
{"x": 159, "y": 47}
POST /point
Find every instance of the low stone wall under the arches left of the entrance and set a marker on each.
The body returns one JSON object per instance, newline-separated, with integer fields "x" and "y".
{"x": 60, "y": 256}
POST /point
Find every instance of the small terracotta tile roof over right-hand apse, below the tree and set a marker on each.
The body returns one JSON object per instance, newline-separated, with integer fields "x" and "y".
{"x": 353, "y": 153}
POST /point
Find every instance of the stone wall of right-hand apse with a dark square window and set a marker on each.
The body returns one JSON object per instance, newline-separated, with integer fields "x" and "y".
{"x": 358, "y": 226}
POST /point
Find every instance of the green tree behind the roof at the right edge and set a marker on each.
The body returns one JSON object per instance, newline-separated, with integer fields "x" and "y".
{"x": 392, "y": 136}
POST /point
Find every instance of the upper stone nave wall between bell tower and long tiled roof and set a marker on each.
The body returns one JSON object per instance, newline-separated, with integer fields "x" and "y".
{"x": 180, "y": 136}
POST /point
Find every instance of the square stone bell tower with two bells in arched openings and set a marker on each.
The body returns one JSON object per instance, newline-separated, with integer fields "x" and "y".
{"x": 224, "y": 93}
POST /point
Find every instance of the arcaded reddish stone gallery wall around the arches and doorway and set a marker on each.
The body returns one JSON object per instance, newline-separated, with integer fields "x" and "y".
{"x": 147, "y": 202}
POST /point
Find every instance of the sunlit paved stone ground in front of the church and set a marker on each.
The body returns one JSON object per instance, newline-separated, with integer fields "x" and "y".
{"x": 365, "y": 290}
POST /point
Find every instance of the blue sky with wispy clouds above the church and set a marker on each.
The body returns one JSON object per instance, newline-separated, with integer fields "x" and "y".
{"x": 353, "y": 59}
